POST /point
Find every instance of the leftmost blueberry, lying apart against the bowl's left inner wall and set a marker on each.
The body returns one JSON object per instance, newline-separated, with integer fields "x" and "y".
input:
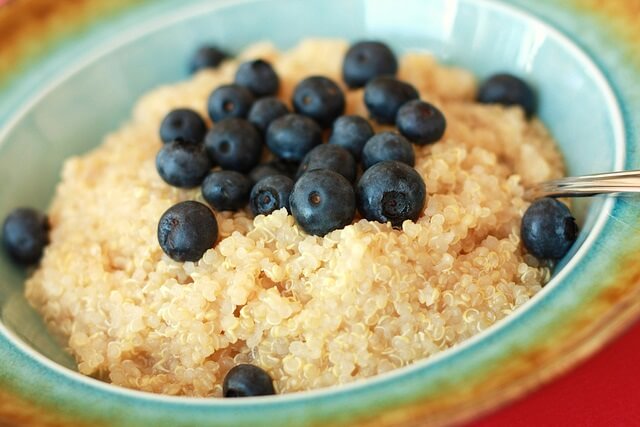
{"x": 25, "y": 233}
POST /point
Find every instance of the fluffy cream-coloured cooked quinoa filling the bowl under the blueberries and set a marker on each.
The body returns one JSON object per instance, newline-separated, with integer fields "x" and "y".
{"x": 311, "y": 311}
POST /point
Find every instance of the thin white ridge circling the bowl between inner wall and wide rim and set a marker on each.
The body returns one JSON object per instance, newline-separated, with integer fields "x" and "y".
{"x": 188, "y": 11}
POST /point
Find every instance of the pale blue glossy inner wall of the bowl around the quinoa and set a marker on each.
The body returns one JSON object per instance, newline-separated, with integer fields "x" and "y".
{"x": 70, "y": 112}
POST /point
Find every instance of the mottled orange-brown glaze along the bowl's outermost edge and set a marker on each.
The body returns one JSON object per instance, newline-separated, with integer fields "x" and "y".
{"x": 29, "y": 27}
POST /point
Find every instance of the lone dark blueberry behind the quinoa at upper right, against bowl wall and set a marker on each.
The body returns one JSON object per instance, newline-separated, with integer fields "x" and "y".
{"x": 508, "y": 90}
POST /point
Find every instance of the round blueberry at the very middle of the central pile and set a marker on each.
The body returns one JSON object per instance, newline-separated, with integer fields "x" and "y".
{"x": 292, "y": 136}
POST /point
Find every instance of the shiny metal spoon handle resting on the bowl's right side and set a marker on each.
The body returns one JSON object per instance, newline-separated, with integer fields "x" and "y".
{"x": 587, "y": 185}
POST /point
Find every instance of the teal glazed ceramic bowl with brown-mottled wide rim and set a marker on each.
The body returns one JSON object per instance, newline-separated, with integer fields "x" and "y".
{"x": 65, "y": 98}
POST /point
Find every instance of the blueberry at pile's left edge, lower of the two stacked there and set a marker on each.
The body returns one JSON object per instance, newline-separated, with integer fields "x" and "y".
{"x": 183, "y": 164}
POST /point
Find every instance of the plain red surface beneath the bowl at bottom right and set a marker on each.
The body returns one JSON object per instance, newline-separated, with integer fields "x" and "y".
{"x": 602, "y": 391}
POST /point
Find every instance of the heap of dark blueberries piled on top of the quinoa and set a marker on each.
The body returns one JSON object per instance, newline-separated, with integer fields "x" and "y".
{"x": 320, "y": 184}
